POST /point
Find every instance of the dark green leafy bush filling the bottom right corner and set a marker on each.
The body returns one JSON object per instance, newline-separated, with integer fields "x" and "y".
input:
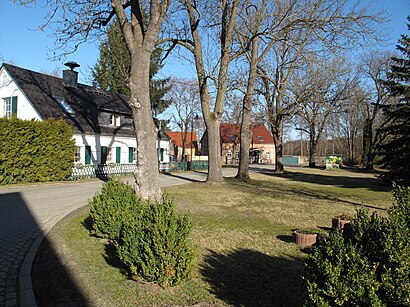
{"x": 371, "y": 268}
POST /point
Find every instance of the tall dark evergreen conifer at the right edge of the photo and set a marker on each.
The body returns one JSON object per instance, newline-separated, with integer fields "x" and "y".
{"x": 396, "y": 151}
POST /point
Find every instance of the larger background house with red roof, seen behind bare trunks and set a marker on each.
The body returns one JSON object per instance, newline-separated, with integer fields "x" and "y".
{"x": 262, "y": 146}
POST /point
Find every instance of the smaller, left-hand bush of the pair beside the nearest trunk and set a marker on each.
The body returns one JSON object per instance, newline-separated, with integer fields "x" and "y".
{"x": 109, "y": 209}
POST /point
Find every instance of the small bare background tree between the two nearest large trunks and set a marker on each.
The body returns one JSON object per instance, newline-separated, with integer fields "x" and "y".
{"x": 185, "y": 106}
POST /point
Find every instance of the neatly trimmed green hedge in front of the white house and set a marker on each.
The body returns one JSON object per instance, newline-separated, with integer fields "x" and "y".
{"x": 35, "y": 151}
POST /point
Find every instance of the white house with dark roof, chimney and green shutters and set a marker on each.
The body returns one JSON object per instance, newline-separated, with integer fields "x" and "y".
{"x": 102, "y": 120}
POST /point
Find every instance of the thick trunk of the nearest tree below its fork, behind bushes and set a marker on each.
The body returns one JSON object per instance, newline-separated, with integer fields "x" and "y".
{"x": 146, "y": 175}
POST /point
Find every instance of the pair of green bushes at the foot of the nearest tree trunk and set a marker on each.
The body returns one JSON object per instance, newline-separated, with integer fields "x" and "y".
{"x": 151, "y": 239}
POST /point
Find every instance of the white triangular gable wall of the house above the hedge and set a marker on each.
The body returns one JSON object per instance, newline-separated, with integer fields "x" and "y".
{"x": 8, "y": 88}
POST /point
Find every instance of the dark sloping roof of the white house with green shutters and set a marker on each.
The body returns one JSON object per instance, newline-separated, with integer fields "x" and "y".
{"x": 86, "y": 101}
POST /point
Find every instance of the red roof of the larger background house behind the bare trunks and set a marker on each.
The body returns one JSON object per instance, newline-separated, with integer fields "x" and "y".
{"x": 231, "y": 133}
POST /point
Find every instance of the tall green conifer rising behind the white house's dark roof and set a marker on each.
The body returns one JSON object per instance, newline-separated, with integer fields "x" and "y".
{"x": 111, "y": 72}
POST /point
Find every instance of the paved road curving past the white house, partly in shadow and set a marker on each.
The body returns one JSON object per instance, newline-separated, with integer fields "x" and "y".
{"x": 28, "y": 211}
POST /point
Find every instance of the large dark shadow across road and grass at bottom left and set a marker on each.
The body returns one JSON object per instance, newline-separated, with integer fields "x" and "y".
{"x": 19, "y": 230}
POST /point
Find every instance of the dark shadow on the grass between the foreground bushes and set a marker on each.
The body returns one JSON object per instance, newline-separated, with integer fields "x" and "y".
{"x": 246, "y": 277}
